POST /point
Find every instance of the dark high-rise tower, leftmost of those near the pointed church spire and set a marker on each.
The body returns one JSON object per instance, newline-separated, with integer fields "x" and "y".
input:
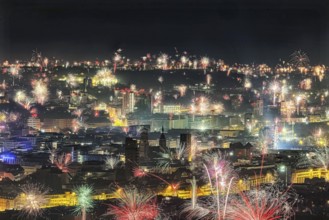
{"x": 132, "y": 156}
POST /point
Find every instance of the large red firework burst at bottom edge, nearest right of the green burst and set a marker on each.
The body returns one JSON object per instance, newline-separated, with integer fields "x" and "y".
{"x": 134, "y": 205}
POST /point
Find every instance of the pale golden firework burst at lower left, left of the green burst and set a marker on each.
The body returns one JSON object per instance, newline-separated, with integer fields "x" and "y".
{"x": 33, "y": 199}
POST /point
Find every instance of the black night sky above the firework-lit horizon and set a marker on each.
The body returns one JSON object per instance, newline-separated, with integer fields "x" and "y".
{"x": 235, "y": 30}
